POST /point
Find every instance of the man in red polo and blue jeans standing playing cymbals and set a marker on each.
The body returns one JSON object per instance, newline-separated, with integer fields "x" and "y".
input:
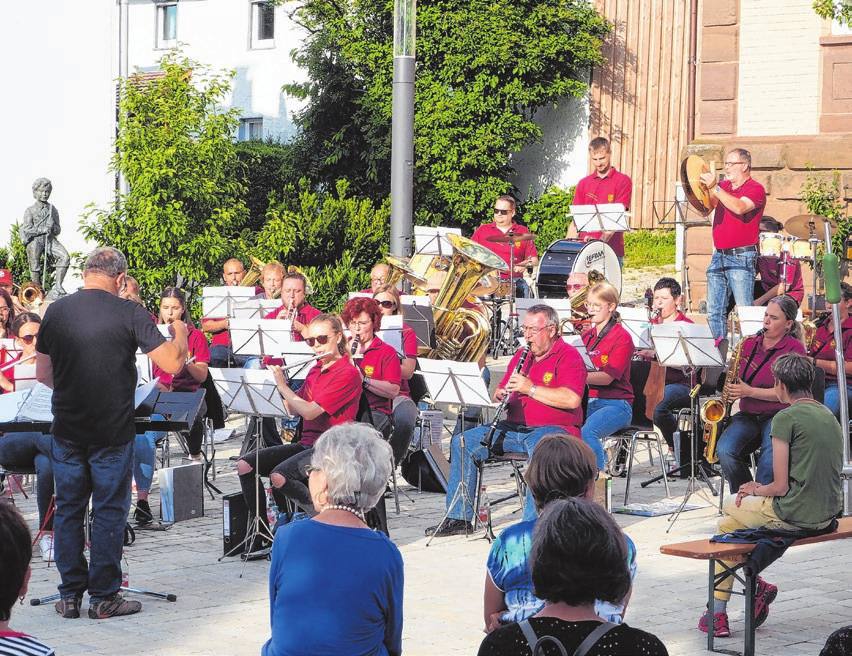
{"x": 736, "y": 227}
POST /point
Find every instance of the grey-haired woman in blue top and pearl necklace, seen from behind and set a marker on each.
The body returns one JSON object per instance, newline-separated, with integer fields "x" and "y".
{"x": 342, "y": 581}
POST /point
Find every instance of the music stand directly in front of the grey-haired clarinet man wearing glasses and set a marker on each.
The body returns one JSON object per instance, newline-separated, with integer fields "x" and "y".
{"x": 456, "y": 382}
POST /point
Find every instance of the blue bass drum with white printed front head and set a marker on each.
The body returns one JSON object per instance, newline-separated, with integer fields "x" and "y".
{"x": 565, "y": 257}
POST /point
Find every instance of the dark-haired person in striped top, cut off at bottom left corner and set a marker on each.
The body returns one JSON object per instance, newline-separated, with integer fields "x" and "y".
{"x": 15, "y": 554}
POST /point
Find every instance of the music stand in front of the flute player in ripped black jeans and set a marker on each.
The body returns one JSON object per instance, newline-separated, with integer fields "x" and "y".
{"x": 252, "y": 392}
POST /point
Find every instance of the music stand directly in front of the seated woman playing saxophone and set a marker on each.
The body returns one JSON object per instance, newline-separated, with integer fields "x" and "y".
{"x": 682, "y": 344}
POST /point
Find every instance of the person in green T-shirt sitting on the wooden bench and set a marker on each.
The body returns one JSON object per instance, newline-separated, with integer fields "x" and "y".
{"x": 802, "y": 494}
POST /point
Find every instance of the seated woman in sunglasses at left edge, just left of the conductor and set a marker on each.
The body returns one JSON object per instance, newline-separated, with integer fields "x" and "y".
{"x": 31, "y": 449}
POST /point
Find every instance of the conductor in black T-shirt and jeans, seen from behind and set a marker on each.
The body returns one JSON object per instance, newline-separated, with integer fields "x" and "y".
{"x": 87, "y": 353}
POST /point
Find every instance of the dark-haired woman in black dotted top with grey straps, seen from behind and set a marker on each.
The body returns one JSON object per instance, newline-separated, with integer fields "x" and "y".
{"x": 578, "y": 555}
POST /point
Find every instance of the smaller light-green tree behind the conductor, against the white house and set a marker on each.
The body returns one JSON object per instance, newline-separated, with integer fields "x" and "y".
{"x": 175, "y": 147}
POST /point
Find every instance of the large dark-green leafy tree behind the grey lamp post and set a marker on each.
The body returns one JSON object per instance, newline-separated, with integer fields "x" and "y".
{"x": 484, "y": 69}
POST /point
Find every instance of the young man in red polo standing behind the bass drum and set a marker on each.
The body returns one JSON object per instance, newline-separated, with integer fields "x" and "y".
{"x": 605, "y": 185}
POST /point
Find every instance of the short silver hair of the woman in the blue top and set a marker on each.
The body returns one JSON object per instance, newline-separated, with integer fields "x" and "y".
{"x": 356, "y": 462}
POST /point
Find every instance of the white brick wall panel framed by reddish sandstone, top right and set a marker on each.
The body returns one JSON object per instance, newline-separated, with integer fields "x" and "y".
{"x": 779, "y": 52}
